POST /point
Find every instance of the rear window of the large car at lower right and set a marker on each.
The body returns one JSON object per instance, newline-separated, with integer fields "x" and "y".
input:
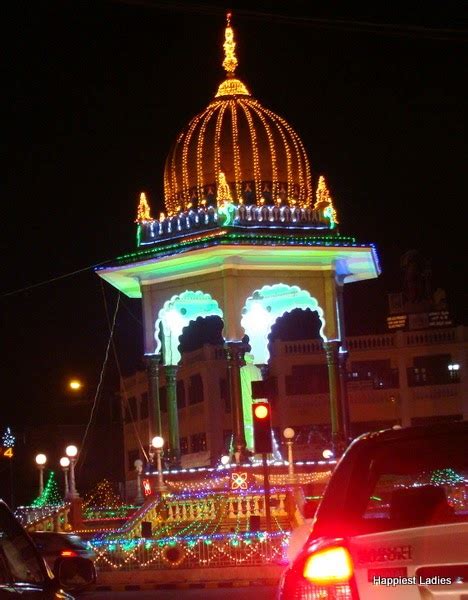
{"x": 411, "y": 483}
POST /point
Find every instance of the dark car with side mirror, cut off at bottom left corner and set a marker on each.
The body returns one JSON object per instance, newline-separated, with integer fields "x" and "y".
{"x": 25, "y": 574}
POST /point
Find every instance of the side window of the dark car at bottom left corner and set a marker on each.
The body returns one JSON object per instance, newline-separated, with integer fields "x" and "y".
{"x": 18, "y": 554}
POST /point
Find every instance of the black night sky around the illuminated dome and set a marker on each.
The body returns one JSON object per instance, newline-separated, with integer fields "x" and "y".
{"x": 94, "y": 95}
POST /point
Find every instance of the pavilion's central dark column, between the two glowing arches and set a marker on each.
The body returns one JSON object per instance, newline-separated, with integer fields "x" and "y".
{"x": 235, "y": 360}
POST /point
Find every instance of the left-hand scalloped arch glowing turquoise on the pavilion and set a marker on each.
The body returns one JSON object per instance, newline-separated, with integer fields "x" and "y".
{"x": 177, "y": 314}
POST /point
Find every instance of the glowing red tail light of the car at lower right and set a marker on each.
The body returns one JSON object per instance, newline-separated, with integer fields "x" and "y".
{"x": 324, "y": 572}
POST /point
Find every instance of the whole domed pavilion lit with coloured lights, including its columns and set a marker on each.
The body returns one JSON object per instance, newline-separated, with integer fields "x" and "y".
{"x": 243, "y": 237}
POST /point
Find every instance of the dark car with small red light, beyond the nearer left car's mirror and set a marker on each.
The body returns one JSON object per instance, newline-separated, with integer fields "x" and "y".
{"x": 56, "y": 546}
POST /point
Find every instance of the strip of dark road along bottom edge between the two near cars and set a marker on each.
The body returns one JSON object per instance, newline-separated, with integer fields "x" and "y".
{"x": 241, "y": 593}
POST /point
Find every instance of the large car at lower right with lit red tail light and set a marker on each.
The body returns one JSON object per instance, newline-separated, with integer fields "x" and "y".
{"x": 392, "y": 522}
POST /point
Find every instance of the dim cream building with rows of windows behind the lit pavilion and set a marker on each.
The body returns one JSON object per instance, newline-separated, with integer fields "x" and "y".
{"x": 396, "y": 378}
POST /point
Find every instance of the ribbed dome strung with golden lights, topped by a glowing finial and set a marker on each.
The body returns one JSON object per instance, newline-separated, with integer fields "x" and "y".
{"x": 238, "y": 141}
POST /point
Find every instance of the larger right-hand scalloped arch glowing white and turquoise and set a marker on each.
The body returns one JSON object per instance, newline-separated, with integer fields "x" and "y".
{"x": 268, "y": 304}
